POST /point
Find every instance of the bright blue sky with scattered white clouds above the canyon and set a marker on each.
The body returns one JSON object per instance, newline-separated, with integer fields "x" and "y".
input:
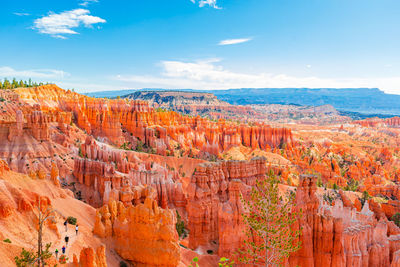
{"x": 98, "y": 45}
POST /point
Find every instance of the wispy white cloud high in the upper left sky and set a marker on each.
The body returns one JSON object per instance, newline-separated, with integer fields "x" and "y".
{"x": 58, "y": 25}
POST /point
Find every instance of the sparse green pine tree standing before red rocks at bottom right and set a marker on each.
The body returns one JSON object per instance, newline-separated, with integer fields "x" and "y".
{"x": 270, "y": 237}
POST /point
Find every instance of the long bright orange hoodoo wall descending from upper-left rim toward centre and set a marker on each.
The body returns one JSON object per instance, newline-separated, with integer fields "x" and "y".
{"x": 120, "y": 120}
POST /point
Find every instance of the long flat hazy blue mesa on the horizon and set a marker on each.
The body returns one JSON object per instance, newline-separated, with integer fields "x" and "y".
{"x": 355, "y": 102}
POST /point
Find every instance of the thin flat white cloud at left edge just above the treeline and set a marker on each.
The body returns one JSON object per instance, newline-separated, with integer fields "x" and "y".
{"x": 8, "y": 72}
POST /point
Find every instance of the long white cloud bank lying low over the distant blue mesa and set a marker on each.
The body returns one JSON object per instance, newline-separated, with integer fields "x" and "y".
{"x": 210, "y": 75}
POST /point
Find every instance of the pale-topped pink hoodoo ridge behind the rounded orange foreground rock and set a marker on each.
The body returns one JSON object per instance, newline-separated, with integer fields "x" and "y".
{"x": 120, "y": 175}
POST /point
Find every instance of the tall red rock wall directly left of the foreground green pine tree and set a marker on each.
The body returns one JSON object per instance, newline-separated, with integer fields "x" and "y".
{"x": 214, "y": 188}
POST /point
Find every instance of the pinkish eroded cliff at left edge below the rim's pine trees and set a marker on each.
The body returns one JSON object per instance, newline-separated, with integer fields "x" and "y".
{"x": 32, "y": 137}
